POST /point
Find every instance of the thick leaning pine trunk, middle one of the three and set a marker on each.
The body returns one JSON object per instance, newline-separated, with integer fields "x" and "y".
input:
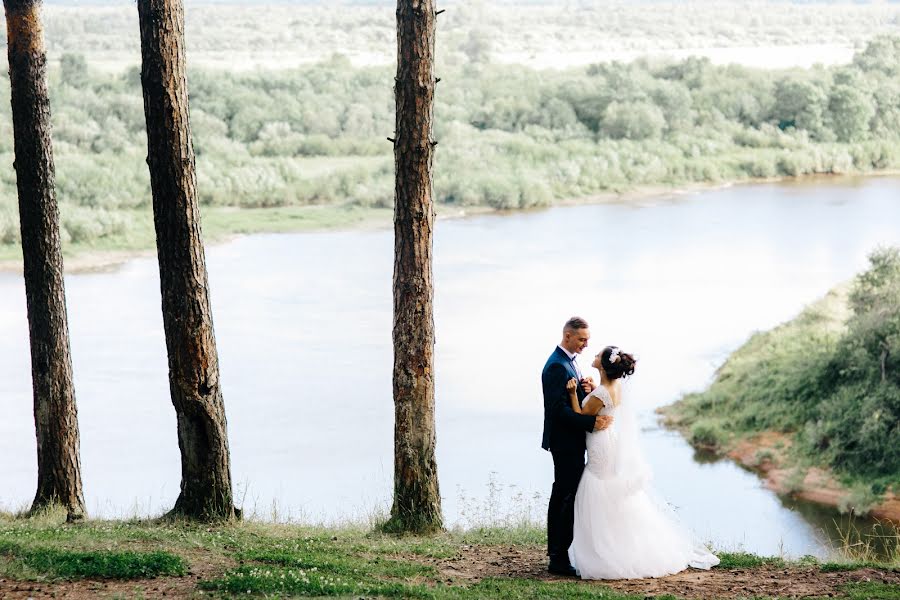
{"x": 206, "y": 491}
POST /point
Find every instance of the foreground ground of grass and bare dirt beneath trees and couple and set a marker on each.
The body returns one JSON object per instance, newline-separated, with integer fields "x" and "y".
{"x": 44, "y": 558}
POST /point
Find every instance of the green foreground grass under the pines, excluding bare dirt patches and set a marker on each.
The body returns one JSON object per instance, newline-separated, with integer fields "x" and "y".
{"x": 289, "y": 560}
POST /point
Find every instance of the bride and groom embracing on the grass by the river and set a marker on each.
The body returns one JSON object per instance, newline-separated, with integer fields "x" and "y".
{"x": 603, "y": 521}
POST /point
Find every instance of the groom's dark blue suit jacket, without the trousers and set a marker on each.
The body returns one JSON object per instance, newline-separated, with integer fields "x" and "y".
{"x": 564, "y": 429}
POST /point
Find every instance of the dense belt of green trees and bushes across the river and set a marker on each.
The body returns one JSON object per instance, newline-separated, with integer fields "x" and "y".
{"x": 510, "y": 136}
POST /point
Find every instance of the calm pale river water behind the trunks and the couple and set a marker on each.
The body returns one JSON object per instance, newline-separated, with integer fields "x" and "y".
{"x": 303, "y": 324}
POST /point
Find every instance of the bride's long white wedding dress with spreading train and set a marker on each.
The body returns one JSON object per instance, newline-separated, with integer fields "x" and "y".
{"x": 621, "y": 530}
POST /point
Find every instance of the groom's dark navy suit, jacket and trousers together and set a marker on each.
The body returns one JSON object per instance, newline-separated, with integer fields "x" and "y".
{"x": 564, "y": 437}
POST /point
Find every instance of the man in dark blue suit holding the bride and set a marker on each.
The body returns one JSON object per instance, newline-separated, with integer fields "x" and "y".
{"x": 564, "y": 437}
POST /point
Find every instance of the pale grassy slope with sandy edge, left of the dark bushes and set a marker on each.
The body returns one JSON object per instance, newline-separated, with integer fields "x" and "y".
{"x": 763, "y": 397}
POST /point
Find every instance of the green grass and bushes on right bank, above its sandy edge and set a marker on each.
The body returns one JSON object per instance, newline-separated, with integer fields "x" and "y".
{"x": 830, "y": 377}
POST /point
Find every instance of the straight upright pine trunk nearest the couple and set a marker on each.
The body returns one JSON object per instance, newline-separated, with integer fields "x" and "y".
{"x": 417, "y": 500}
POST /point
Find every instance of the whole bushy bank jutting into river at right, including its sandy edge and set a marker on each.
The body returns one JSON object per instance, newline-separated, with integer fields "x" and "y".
{"x": 807, "y": 406}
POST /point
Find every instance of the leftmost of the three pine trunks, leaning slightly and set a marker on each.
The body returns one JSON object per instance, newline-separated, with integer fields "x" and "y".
{"x": 55, "y": 414}
